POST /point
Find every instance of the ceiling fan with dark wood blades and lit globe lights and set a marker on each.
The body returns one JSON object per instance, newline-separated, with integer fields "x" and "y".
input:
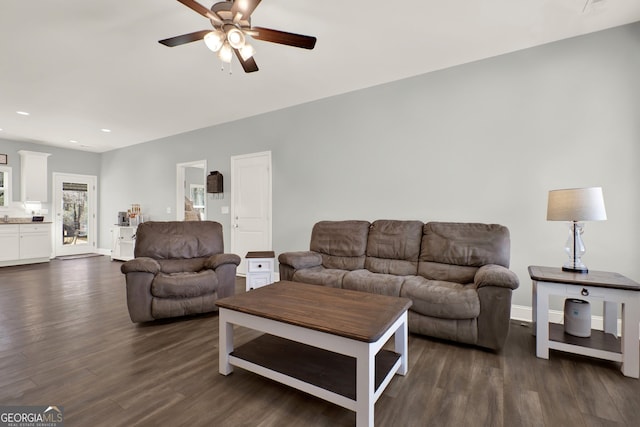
{"x": 231, "y": 21}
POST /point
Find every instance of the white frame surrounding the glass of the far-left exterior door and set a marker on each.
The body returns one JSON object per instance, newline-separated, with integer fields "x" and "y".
{"x": 56, "y": 206}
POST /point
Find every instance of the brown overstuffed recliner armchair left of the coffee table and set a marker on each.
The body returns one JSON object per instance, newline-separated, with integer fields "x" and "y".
{"x": 179, "y": 268}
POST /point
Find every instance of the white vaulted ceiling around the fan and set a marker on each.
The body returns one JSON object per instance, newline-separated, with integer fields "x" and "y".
{"x": 79, "y": 66}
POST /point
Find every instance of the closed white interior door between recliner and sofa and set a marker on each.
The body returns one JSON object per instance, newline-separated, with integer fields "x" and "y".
{"x": 250, "y": 205}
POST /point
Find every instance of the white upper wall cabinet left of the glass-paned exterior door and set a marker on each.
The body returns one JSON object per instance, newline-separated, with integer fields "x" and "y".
{"x": 33, "y": 176}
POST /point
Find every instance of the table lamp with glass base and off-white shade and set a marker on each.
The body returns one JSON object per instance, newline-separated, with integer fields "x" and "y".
{"x": 575, "y": 205}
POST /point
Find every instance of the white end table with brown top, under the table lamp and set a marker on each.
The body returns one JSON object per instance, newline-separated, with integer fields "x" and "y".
{"x": 610, "y": 289}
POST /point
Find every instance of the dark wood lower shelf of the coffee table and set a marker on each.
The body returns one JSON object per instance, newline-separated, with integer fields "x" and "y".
{"x": 310, "y": 365}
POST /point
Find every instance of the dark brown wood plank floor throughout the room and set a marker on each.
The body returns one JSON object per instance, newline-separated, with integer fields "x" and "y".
{"x": 66, "y": 339}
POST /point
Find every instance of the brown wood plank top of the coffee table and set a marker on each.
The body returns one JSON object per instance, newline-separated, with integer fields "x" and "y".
{"x": 357, "y": 315}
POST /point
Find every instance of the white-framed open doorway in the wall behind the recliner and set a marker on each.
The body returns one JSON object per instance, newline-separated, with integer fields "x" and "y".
{"x": 191, "y": 200}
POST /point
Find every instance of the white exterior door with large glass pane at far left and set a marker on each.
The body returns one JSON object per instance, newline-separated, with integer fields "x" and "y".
{"x": 74, "y": 213}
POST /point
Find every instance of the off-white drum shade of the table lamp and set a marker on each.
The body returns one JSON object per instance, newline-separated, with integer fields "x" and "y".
{"x": 576, "y": 204}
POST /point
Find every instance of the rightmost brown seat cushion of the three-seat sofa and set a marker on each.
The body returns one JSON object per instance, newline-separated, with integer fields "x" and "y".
{"x": 437, "y": 298}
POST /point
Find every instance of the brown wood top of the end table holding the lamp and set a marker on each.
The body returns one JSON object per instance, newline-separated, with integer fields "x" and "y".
{"x": 603, "y": 279}
